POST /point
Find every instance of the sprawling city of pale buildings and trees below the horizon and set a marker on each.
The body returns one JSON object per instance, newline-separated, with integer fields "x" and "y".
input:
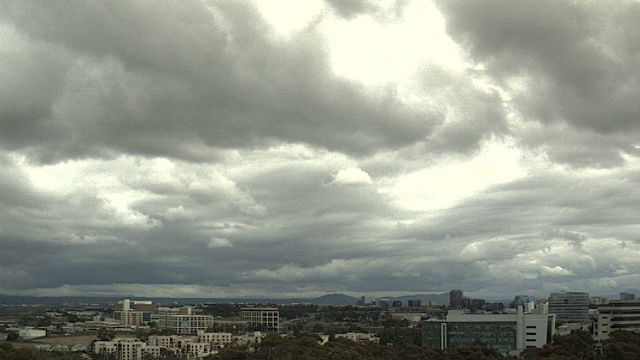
{"x": 144, "y": 329}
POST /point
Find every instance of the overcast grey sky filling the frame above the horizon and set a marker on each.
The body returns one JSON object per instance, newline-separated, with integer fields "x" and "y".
{"x": 297, "y": 148}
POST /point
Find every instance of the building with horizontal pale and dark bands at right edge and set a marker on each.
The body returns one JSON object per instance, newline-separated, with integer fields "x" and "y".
{"x": 617, "y": 315}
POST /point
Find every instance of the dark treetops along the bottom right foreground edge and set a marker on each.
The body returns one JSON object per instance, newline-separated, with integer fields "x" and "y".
{"x": 576, "y": 346}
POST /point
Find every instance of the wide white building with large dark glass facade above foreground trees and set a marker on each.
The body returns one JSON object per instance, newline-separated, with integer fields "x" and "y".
{"x": 508, "y": 333}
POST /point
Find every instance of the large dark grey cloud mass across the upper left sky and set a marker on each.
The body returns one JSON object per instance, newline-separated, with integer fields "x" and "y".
{"x": 146, "y": 77}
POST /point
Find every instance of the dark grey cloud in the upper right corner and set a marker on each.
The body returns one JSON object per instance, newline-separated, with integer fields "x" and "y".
{"x": 577, "y": 60}
